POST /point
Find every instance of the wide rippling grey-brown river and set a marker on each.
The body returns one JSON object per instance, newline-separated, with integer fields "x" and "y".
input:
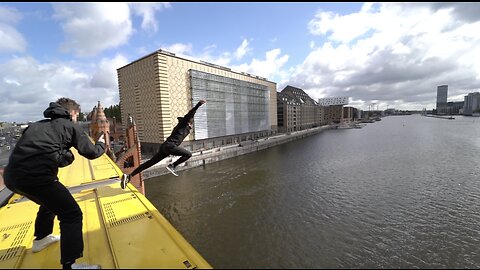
{"x": 403, "y": 192}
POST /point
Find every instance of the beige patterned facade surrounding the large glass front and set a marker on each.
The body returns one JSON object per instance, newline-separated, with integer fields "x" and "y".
{"x": 156, "y": 89}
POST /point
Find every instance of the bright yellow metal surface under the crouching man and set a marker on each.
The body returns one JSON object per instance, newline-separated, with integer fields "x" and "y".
{"x": 121, "y": 228}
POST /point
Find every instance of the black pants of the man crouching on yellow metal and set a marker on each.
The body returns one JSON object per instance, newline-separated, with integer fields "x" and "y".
{"x": 55, "y": 200}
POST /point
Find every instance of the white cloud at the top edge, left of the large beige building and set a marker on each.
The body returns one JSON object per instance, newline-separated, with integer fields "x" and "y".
{"x": 93, "y": 27}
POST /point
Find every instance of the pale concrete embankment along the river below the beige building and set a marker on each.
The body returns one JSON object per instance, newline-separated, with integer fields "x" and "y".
{"x": 220, "y": 153}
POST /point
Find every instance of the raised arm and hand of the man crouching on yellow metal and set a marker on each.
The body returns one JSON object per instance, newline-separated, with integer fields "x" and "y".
{"x": 81, "y": 141}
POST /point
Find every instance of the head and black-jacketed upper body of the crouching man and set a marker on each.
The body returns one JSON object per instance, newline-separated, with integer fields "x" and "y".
{"x": 34, "y": 160}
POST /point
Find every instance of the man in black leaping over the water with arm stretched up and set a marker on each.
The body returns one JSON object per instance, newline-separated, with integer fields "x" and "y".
{"x": 170, "y": 147}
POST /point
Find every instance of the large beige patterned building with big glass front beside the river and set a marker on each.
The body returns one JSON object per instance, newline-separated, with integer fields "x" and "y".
{"x": 162, "y": 86}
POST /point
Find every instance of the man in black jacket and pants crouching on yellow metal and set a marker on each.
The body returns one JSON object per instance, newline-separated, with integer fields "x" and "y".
{"x": 32, "y": 171}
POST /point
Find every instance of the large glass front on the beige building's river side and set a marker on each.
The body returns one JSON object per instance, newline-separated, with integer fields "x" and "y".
{"x": 233, "y": 106}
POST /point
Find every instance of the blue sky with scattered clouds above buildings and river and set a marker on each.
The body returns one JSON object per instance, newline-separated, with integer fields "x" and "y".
{"x": 380, "y": 55}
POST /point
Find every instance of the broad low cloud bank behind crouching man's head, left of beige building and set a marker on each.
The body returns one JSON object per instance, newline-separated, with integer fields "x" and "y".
{"x": 24, "y": 98}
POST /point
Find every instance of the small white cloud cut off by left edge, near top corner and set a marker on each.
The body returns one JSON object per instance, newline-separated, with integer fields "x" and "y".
{"x": 11, "y": 39}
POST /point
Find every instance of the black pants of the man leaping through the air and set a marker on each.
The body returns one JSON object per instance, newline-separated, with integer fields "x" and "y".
{"x": 165, "y": 150}
